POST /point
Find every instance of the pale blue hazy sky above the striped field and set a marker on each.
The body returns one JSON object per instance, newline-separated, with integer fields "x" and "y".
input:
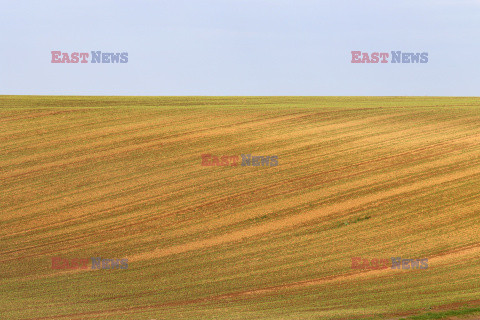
{"x": 240, "y": 47}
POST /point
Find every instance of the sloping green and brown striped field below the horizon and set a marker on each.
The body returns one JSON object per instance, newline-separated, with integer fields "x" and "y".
{"x": 122, "y": 177}
